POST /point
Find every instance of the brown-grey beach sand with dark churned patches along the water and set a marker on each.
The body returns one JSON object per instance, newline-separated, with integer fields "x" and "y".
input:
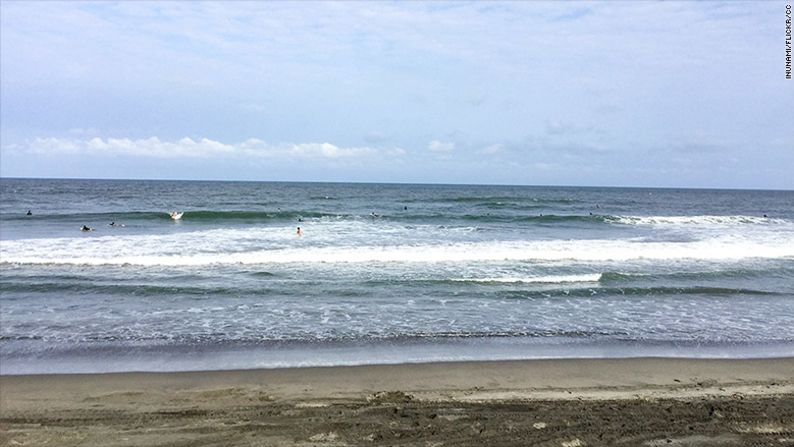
{"x": 566, "y": 403}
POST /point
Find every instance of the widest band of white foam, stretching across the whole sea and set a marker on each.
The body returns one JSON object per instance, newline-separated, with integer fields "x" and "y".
{"x": 201, "y": 249}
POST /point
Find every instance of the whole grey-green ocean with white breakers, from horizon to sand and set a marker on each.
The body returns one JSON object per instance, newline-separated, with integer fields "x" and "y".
{"x": 439, "y": 273}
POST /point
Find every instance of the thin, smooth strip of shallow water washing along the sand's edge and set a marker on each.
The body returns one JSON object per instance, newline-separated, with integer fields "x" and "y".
{"x": 298, "y": 355}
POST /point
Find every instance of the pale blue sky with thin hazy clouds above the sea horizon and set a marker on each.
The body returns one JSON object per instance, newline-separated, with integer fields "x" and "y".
{"x": 657, "y": 94}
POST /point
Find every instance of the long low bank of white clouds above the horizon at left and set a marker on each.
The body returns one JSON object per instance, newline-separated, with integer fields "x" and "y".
{"x": 203, "y": 148}
